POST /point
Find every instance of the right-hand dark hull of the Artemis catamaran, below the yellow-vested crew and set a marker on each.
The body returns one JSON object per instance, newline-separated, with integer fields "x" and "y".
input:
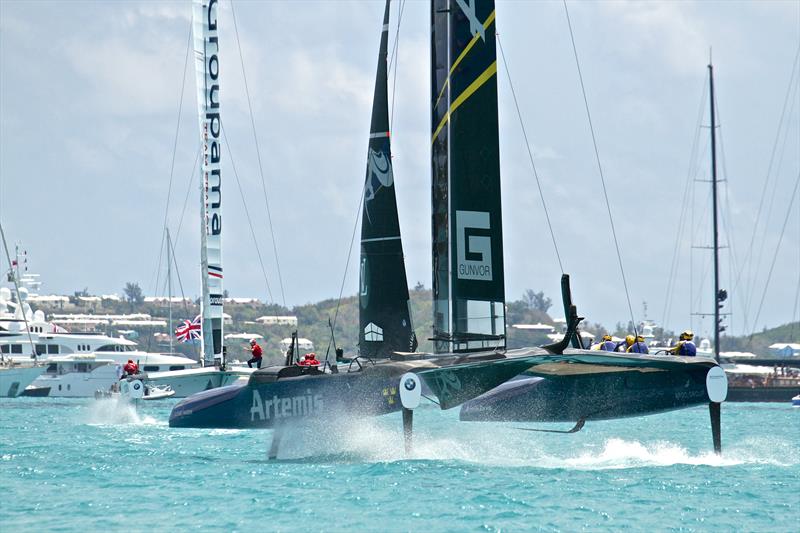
{"x": 589, "y": 397}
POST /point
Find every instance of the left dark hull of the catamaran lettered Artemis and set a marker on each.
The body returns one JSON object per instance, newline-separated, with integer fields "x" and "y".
{"x": 290, "y": 393}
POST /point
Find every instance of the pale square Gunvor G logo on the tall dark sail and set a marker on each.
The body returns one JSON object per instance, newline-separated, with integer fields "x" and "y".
{"x": 473, "y": 245}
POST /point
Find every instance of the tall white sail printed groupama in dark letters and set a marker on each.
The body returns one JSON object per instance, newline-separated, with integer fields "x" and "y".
{"x": 206, "y": 54}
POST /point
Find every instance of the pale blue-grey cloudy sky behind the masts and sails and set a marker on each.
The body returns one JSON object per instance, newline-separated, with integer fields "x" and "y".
{"x": 90, "y": 94}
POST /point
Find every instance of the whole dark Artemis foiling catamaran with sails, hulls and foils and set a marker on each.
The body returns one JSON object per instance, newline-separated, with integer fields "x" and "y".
{"x": 469, "y": 302}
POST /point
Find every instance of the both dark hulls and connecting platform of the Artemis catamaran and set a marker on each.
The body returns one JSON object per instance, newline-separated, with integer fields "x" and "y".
{"x": 579, "y": 384}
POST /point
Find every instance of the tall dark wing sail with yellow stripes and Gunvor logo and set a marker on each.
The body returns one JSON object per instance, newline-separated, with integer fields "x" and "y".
{"x": 468, "y": 285}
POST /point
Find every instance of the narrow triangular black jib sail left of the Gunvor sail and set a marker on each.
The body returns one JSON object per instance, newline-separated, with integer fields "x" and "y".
{"x": 384, "y": 315}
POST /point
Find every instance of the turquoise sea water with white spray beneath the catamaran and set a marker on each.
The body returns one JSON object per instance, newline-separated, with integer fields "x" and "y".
{"x": 86, "y": 465}
